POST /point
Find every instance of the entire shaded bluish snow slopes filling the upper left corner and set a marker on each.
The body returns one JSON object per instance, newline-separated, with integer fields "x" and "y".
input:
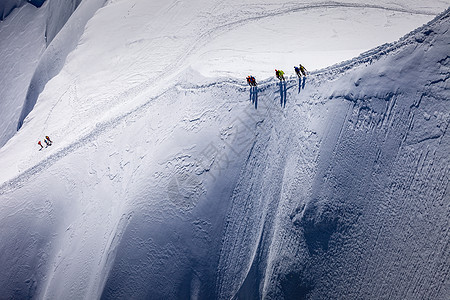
{"x": 31, "y": 55}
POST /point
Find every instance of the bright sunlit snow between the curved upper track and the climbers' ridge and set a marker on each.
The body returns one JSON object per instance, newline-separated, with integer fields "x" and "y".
{"x": 317, "y": 36}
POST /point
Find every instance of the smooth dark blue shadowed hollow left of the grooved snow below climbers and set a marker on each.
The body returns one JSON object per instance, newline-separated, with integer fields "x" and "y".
{"x": 176, "y": 245}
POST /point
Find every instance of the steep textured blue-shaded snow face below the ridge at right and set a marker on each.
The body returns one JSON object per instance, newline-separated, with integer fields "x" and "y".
{"x": 357, "y": 202}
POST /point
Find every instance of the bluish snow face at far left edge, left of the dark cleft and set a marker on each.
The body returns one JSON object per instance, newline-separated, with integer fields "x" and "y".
{"x": 22, "y": 44}
